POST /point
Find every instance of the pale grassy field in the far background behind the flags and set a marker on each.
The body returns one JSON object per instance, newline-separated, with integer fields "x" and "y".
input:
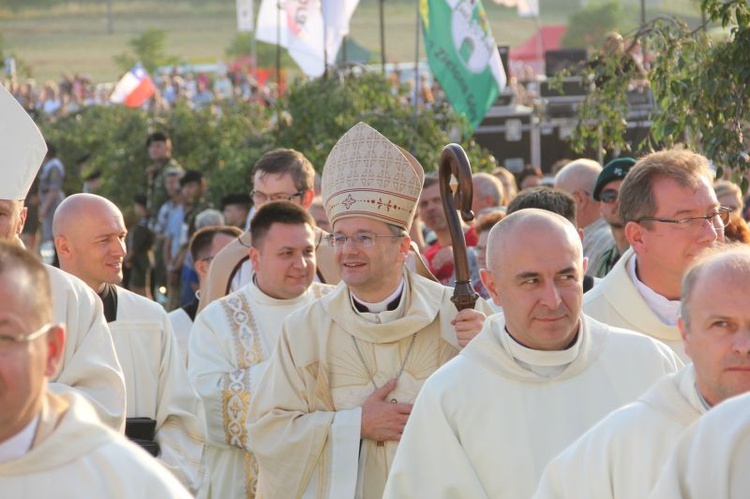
{"x": 74, "y": 38}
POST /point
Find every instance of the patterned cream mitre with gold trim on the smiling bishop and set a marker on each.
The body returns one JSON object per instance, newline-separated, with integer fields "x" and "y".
{"x": 366, "y": 175}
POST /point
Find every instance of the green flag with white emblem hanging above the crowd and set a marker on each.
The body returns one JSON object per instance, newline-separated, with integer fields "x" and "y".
{"x": 462, "y": 55}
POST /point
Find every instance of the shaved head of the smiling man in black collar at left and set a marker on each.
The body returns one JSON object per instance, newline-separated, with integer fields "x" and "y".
{"x": 90, "y": 239}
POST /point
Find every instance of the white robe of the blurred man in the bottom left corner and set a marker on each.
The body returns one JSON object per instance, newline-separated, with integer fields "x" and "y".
{"x": 74, "y": 456}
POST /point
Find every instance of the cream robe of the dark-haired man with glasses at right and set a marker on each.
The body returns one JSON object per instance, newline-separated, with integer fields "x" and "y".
{"x": 616, "y": 301}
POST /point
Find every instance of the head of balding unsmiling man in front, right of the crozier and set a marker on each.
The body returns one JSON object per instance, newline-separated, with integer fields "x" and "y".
{"x": 535, "y": 272}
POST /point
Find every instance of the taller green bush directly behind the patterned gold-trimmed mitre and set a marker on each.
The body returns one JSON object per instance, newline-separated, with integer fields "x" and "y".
{"x": 322, "y": 110}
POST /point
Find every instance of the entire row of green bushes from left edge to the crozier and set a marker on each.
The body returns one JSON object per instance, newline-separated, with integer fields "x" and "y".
{"x": 225, "y": 142}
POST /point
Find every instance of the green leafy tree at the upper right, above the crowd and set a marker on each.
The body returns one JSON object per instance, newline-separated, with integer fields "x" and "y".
{"x": 700, "y": 86}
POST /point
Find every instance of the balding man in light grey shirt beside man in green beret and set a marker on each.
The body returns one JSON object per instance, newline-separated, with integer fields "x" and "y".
{"x": 578, "y": 179}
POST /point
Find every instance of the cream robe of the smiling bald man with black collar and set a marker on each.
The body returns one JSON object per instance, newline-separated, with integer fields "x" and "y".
{"x": 158, "y": 386}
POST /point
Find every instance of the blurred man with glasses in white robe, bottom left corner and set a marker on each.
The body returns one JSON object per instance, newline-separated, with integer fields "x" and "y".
{"x": 55, "y": 445}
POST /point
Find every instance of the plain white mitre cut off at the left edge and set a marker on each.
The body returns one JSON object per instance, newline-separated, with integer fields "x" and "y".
{"x": 22, "y": 148}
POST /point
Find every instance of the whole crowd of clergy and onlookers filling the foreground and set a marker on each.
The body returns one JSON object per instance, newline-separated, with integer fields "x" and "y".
{"x": 309, "y": 346}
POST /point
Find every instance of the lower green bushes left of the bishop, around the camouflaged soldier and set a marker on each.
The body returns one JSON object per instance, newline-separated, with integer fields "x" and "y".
{"x": 224, "y": 143}
